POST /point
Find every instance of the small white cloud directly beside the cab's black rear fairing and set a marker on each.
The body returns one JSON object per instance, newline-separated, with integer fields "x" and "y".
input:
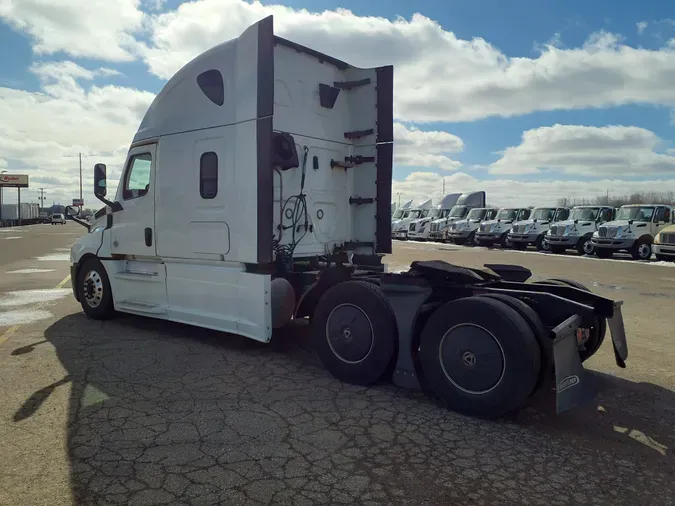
{"x": 417, "y": 148}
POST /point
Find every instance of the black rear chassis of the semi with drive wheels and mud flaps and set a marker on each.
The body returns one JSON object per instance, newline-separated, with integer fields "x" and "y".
{"x": 482, "y": 340}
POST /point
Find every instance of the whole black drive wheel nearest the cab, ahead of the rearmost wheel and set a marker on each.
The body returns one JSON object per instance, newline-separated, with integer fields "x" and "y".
{"x": 361, "y": 358}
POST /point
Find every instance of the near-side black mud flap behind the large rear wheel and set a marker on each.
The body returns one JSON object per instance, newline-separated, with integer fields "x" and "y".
{"x": 572, "y": 389}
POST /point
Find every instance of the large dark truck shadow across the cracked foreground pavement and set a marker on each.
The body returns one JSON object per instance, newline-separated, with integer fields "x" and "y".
{"x": 163, "y": 413}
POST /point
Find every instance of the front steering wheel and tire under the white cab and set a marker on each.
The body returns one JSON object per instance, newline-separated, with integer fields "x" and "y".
{"x": 93, "y": 289}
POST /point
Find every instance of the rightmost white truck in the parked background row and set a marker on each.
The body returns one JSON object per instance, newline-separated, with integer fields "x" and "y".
{"x": 633, "y": 230}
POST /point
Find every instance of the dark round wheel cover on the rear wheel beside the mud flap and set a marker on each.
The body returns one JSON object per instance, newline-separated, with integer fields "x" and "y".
{"x": 472, "y": 359}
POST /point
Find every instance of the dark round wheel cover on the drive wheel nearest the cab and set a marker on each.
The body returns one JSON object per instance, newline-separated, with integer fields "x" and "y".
{"x": 349, "y": 333}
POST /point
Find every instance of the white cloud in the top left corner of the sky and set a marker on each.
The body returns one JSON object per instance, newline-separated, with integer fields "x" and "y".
{"x": 100, "y": 29}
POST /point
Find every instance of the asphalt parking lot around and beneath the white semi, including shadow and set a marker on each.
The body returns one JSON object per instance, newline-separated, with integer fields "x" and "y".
{"x": 140, "y": 411}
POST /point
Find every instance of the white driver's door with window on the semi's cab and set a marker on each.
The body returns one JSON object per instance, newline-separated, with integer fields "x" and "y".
{"x": 133, "y": 230}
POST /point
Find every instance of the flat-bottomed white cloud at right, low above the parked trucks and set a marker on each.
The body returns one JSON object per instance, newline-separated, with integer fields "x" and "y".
{"x": 588, "y": 151}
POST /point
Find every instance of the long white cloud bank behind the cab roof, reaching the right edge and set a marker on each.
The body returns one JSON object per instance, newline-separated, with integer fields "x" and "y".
{"x": 439, "y": 77}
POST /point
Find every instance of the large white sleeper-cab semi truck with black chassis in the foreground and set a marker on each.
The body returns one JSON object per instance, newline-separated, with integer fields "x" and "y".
{"x": 216, "y": 145}
